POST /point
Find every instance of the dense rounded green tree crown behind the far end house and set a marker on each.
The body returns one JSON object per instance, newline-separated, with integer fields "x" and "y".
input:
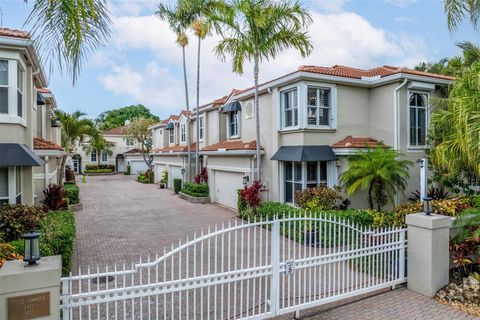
{"x": 117, "y": 117}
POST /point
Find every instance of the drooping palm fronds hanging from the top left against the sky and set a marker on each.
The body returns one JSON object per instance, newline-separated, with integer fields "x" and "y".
{"x": 69, "y": 31}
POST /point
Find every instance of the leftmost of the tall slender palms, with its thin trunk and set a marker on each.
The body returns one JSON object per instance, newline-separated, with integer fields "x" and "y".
{"x": 179, "y": 21}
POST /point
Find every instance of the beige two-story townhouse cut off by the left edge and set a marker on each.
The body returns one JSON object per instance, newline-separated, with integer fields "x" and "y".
{"x": 26, "y": 131}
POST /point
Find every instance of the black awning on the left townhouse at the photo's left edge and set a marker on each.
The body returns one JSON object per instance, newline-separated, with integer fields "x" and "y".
{"x": 18, "y": 155}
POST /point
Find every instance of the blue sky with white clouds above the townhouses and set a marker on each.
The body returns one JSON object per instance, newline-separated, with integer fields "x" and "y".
{"x": 142, "y": 64}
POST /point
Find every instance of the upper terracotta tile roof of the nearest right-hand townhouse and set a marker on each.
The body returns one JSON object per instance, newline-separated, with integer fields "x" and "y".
{"x": 355, "y": 73}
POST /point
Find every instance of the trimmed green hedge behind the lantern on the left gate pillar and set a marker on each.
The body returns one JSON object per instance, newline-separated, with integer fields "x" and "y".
{"x": 57, "y": 235}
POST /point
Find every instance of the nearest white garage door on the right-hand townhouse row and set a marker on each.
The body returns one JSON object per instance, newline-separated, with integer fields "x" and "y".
{"x": 226, "y": 186}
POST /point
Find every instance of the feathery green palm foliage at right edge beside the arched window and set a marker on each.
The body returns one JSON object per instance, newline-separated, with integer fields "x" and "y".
{"x": 455, "y": 127}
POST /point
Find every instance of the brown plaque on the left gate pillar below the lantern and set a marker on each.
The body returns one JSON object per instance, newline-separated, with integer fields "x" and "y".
{"x": 28, "y": 307}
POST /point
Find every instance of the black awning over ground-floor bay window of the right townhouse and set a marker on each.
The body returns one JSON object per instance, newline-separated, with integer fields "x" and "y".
{"x": 304, "y": 153}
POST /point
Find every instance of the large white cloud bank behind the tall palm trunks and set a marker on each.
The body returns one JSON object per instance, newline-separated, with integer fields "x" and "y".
{"x": 338, "y": 38}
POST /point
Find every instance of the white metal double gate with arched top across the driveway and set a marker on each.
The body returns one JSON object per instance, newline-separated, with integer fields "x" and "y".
{"x": 252, "y": 270}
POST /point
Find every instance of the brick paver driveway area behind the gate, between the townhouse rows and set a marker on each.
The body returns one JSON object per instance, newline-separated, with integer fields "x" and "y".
{"x": 123, "y": 219}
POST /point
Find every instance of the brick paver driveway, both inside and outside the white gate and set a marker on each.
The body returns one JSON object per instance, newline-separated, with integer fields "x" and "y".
{"x": 123, "y": 219}
